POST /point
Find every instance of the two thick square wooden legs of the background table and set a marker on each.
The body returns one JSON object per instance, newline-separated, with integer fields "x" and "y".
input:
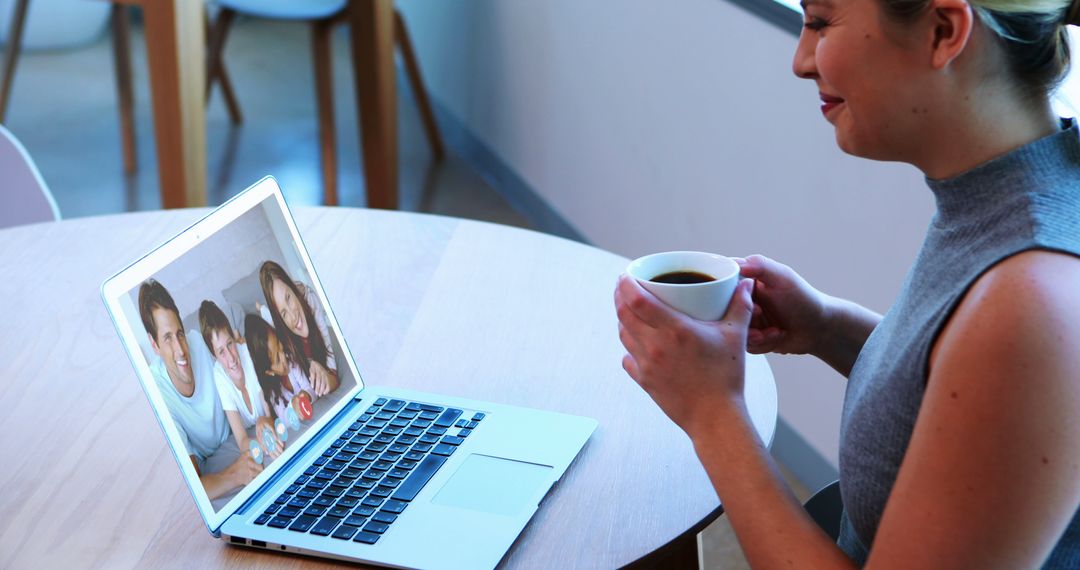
{"x": 177, "y": 53}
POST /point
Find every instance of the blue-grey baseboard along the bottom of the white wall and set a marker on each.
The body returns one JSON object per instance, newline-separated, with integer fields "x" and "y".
{"x": 813, "y": 470}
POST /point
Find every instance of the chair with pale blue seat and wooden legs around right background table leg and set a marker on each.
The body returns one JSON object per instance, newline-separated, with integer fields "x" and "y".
{"x": 322, "y": 16}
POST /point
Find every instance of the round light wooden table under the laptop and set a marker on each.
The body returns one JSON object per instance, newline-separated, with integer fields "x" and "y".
{"x": 426, "y": 303}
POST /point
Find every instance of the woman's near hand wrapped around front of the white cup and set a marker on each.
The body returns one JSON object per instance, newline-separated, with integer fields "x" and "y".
{"x": 692, "y": 369}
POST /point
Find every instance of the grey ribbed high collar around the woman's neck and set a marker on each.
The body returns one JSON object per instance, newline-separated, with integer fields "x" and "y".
{"x": 978, "y": 193}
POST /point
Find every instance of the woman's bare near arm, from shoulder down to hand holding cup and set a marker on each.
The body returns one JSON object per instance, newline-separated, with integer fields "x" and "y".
{"x": 991, "y": 478}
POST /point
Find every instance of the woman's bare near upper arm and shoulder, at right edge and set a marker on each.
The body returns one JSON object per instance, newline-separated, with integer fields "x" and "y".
{"x": 992, "y": 479}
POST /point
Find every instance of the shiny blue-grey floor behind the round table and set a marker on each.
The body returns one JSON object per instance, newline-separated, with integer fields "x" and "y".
{"x": 64, "y": 111}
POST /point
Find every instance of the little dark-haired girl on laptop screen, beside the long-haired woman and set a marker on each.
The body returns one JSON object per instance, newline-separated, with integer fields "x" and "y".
{"x": 282, "y": 379}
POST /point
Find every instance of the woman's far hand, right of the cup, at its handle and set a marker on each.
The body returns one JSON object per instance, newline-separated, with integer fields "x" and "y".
{"x": 790, "y": 316}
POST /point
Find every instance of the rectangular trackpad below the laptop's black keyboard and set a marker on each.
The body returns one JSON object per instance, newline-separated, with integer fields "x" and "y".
{"x": 494, "y": 485}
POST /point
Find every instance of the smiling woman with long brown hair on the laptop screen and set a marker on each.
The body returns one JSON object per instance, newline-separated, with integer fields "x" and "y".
{"x": 299, "y": 318}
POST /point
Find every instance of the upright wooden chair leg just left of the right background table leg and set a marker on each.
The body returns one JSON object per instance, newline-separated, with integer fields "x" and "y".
{"x": 325, "y": 102}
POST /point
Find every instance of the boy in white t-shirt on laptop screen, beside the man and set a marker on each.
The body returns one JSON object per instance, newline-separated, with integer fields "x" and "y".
{"x": 236, "y": 381}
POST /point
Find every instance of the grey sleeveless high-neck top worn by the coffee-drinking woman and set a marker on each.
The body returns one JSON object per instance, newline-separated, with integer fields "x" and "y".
{"x": 1029, "y": 199}
